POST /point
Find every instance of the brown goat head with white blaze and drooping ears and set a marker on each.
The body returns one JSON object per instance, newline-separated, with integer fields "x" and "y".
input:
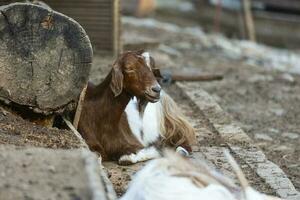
{"x": 135, "y": 73}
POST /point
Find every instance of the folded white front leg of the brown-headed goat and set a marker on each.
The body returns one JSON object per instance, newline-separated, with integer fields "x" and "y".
{"x": 142, "y": 155}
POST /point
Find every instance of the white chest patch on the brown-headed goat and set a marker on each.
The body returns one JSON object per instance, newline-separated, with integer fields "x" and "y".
{"x": 145, "y": 128}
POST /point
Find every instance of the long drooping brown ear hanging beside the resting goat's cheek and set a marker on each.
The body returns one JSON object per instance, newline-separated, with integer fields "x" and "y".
{"x": 116, "y": 84}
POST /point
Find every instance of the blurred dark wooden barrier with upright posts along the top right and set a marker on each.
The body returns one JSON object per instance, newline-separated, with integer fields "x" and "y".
{"x": 274, "y": 22}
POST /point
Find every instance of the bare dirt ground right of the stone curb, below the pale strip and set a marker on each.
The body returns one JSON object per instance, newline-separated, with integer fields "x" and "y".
{"x": 264, "y": 102}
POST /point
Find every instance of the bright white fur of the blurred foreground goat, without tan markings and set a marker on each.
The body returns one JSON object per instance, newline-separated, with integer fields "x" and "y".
{"x": 155, "y": 181}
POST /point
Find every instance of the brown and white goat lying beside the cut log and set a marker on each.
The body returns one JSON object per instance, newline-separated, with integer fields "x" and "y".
{"x": 126, "y": 117}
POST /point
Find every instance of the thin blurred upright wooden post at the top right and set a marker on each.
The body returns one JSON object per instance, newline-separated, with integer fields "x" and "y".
{"x": 249, "y": 20}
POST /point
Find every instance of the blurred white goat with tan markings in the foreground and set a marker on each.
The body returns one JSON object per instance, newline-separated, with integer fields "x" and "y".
{"x": 175, "y": 178}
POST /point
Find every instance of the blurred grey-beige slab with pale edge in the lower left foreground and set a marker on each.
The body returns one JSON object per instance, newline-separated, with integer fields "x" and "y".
{"x": 32, "y": 173}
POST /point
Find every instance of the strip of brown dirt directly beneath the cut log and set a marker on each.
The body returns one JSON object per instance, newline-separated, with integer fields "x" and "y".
{"x": 16, "y": 131}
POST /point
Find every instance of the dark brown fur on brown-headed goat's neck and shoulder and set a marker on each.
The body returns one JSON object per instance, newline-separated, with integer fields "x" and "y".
{"x": 101, "y": 119}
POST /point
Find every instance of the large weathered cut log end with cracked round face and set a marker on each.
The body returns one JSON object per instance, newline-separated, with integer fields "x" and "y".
{"x": 45, "y": 58}
